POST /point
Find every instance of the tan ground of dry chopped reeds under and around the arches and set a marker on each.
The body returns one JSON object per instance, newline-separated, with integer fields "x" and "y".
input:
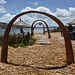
{"x": 39, "y": 59}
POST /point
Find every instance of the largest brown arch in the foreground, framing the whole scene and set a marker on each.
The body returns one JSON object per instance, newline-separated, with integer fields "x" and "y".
{"x": 68, "y": 45}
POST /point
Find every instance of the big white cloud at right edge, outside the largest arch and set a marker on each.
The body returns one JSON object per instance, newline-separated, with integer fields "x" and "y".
{"x": 65, "y": 15}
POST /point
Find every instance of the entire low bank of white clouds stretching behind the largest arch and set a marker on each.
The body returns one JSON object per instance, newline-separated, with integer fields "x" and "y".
{"x": 64, "y": 15}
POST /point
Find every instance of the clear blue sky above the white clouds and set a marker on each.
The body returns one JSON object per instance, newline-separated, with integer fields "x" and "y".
{"x": 13, "y": 5}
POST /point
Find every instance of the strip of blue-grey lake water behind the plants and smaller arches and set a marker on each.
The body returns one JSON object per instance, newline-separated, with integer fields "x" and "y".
{"x": 36, "y": 30}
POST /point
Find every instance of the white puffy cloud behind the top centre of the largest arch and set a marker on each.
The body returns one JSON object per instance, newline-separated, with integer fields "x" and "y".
{"x": 36, "y": 16}
